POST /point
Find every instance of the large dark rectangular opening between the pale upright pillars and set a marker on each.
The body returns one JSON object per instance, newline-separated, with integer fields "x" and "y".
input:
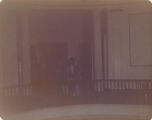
{"x": 54, "y": 38}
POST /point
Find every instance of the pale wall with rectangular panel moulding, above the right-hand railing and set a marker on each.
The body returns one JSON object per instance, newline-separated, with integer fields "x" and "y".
{"x": 130, "y": 43}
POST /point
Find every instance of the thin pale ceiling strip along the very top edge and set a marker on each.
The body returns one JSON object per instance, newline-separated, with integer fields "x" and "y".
{"x": 72, "y": 2}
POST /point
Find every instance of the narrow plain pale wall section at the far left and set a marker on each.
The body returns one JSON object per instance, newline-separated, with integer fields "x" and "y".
{"x": 8, "y": 47}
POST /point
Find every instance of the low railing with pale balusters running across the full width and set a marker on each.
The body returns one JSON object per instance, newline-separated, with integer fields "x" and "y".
{"x": 79, "y": 88}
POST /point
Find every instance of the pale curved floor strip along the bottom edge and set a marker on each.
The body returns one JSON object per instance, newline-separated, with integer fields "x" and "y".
{"x": 87, "y": 112}
